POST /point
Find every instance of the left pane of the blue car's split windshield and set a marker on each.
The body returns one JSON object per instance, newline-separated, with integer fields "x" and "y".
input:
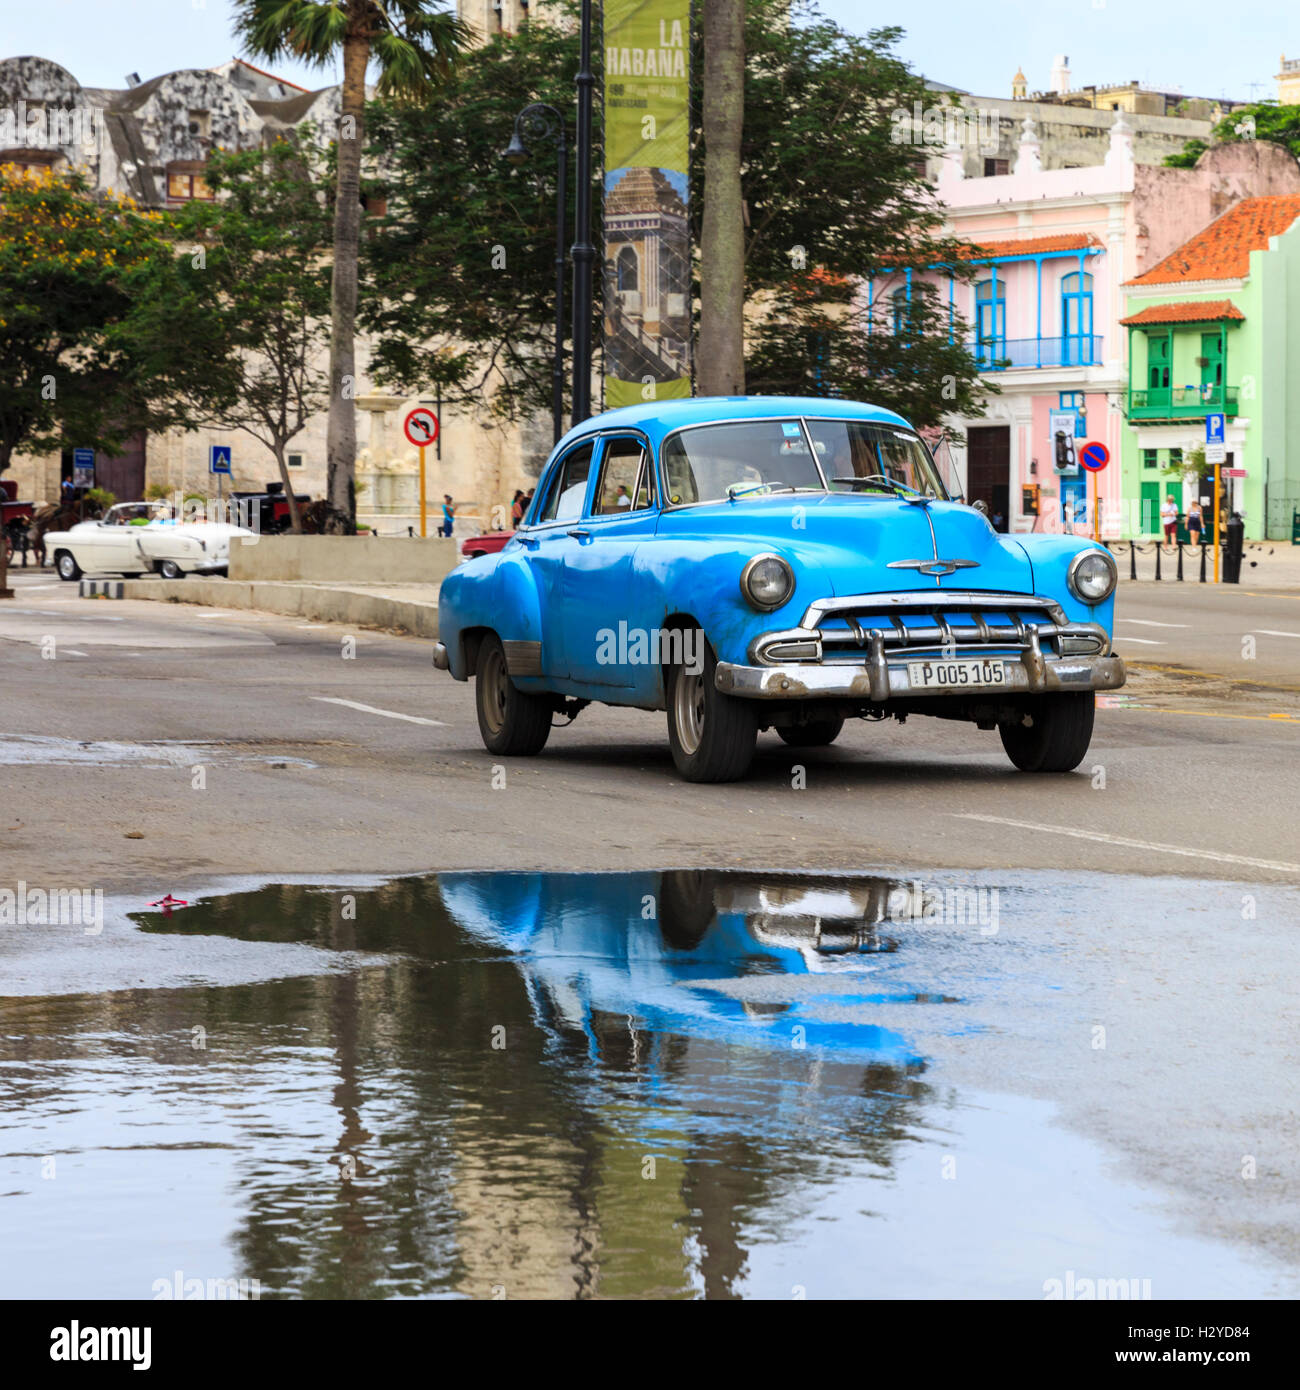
{"x": 746, "y": 459}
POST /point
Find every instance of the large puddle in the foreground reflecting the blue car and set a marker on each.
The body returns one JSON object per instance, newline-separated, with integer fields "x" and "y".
{"x": 651, "y": 1085}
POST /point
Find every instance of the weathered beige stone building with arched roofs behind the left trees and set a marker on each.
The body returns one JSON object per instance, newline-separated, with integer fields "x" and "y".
{"x": 151, "y": 141}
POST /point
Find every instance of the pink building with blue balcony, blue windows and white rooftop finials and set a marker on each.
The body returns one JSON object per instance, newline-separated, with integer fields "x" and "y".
{"x": 1052, "y": 250}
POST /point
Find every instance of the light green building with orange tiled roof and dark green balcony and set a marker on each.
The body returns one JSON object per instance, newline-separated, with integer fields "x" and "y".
{"x": 1214, "y": 329}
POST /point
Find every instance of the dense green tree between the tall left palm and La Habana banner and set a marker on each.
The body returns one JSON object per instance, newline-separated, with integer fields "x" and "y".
{"x": 461, "y": 273}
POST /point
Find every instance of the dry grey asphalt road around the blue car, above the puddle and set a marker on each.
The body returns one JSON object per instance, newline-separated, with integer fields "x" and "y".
{"x": 333, "y": 750}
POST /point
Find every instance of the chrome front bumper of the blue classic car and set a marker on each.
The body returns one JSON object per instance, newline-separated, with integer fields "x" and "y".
{"x": 881, "y": 680}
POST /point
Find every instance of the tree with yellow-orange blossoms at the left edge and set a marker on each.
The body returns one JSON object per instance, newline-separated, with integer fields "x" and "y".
{"x": 80, "y": 358}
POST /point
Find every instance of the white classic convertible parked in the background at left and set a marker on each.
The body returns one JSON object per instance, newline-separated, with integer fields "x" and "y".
{"x": 133, "y": 540}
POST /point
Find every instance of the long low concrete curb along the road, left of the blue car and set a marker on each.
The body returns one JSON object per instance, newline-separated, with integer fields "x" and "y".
{"x": 320, "y": 604}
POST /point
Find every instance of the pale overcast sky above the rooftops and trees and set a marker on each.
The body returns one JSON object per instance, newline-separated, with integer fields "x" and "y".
{"x": 1189, "y": 47}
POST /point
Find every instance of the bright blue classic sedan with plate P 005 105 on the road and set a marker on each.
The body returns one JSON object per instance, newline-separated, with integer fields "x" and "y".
{"x": 765, "y": 562}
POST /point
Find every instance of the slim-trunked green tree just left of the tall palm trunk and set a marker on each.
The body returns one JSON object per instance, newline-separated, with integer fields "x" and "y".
{"x": 257, "y": 286}
